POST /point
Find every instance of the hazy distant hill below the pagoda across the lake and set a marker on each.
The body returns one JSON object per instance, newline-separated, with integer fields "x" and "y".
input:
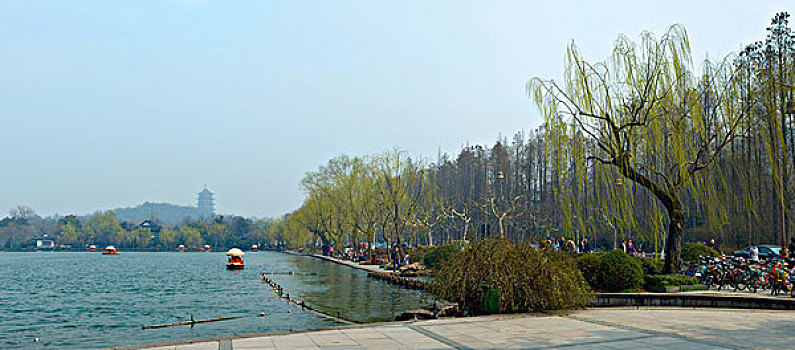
{"x": 169, "y": 214}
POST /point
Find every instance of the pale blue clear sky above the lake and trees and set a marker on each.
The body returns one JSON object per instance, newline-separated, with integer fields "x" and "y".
{"x": 107, "y": 104}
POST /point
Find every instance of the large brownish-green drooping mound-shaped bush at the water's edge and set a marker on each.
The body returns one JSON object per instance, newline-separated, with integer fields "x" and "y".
{"x": 527, "y": 279}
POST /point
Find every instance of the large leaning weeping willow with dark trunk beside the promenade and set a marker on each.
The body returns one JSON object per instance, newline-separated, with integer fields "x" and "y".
{"x": 641, "y": 118}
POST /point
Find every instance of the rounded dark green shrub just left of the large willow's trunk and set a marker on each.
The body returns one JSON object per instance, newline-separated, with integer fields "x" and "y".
{"x": 619, "y": 271}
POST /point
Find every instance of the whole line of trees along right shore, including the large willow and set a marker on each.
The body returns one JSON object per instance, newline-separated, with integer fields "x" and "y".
{"x": 641, "y": 145}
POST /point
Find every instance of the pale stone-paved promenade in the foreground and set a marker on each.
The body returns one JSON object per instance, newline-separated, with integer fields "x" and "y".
{"x": 608, "y": 328}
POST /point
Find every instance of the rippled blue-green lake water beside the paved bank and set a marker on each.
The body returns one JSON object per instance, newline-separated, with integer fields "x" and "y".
{"x": 87, "y": 300}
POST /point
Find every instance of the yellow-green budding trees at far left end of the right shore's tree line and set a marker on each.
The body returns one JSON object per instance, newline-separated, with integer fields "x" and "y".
{"x": 355, "y": 200}
